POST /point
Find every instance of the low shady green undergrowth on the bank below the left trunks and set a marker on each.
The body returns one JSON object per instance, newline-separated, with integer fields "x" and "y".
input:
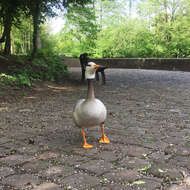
{"x": 24, "y": 73}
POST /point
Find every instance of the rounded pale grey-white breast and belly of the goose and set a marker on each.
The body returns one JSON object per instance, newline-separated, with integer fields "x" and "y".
{"x": 89, "y": 113}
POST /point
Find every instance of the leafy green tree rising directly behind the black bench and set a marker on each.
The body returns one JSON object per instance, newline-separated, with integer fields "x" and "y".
{"x": 80, "y": 31}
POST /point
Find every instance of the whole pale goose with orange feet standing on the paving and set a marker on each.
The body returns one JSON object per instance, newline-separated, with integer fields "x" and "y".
{"x": 91, "y": 111}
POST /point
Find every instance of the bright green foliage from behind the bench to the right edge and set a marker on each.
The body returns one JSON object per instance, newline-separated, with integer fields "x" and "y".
{"x": 161, "y": 30}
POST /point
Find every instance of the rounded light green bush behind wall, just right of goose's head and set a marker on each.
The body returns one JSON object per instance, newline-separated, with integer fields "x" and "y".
{"x": 130, "y": 39}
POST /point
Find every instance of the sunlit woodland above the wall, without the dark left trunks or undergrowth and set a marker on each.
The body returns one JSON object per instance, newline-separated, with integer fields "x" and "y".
{"x": 103, "y": 28}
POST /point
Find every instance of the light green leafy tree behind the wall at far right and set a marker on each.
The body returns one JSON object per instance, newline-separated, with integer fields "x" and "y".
{"x": 166, "y": 22}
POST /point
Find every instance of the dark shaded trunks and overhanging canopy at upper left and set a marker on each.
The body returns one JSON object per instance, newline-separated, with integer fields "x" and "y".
{"x": 10, "y": 11}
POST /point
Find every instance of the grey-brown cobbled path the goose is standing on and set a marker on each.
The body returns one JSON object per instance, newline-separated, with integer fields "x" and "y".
{"x": 148, "y": 124}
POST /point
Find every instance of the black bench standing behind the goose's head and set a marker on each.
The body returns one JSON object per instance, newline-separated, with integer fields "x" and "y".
{"x": 84, "y": 61}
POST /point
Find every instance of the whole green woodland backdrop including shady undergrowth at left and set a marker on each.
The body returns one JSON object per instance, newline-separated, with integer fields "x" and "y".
{"x": 102, "y": 28}
